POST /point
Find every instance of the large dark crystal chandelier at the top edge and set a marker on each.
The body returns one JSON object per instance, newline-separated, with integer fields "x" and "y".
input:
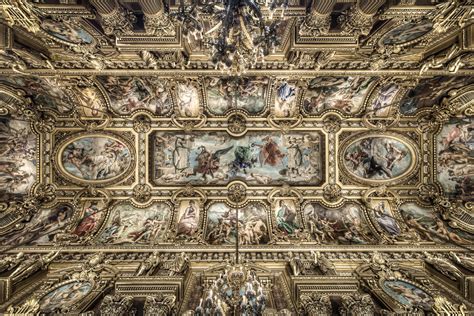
{"x": 239, "y": 35}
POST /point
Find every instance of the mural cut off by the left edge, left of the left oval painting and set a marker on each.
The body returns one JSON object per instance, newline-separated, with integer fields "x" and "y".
{"x": 17, "y": 157}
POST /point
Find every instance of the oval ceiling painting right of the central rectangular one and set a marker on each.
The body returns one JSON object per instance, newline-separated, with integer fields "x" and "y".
{"x": 378, "y": 158}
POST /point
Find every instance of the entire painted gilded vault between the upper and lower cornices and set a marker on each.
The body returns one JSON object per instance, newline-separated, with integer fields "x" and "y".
{"x": 150, "y": 161}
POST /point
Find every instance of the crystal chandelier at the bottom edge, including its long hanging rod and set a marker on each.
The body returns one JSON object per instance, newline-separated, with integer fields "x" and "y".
{"x": 237, "y": 291}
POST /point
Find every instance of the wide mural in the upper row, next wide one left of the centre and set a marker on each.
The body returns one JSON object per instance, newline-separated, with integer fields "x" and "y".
{"x": 128, "y": 94}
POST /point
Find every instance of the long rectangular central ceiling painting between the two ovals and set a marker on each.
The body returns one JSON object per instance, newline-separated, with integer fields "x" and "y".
{"x": 258, "y": 158}
